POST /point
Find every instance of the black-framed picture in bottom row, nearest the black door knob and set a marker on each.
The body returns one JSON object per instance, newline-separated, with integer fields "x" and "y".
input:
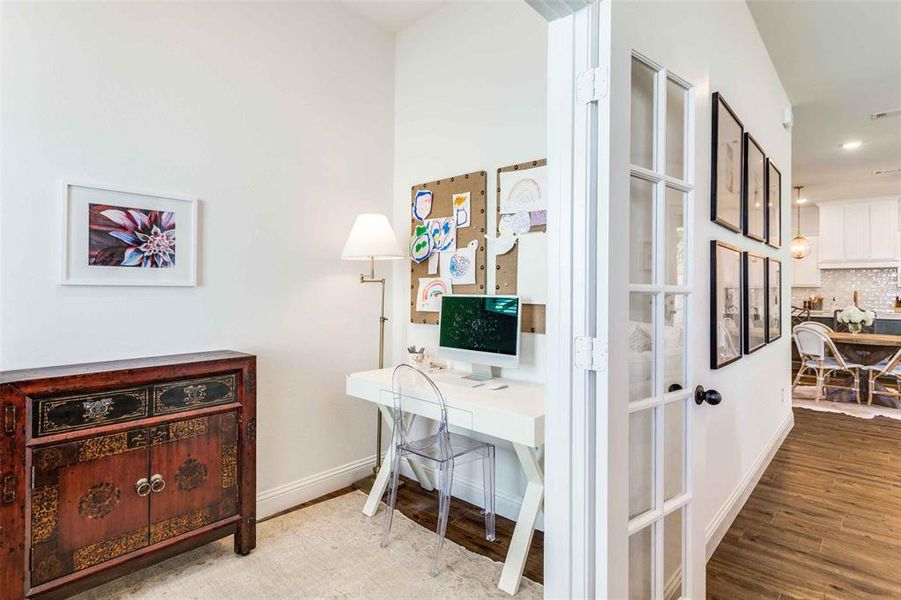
{"x": 725, "y": 304}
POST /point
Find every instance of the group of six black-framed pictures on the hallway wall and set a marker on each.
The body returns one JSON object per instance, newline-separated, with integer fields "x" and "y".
{"x": 745, "y": 198}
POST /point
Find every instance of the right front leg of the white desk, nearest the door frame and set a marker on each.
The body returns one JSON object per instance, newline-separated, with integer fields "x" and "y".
{"x": 525, "y": 524}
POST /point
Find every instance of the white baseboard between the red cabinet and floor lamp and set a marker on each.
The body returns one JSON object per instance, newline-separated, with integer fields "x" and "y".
{"x": 303, "y": 490}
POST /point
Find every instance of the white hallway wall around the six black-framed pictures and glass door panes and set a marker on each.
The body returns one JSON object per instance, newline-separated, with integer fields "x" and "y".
{"x": 716, "y": 47}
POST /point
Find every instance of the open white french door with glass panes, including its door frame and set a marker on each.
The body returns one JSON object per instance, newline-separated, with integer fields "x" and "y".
{"x": 623, "y": 428}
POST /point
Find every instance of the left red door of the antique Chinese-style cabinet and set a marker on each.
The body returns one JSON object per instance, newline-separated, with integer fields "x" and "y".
{"x": 85, "y": 508}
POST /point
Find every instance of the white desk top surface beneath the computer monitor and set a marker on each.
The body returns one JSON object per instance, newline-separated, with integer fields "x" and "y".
{"x": 522, "y": 398}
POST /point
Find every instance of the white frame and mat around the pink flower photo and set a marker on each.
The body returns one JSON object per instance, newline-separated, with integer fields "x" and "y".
{"x": 78, "y": 250}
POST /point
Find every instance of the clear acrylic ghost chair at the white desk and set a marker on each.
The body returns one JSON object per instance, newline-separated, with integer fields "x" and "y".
{"x": 445, "y": 449}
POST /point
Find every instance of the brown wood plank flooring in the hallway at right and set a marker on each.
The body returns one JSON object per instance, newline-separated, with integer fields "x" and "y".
{"x": 825, "y": 519}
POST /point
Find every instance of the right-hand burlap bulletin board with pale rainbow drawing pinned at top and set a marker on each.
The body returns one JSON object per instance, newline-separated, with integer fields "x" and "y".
{"x": 519, "y": 220}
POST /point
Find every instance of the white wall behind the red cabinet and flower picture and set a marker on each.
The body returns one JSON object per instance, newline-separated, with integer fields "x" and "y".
{"x": 279, "y": 118}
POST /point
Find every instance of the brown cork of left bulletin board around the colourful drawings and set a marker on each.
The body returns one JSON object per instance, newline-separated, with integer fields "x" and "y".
{"x": 442, "y": 194}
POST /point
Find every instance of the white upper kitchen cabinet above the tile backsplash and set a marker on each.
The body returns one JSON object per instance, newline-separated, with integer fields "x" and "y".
{"x": 861, "y": 234}
